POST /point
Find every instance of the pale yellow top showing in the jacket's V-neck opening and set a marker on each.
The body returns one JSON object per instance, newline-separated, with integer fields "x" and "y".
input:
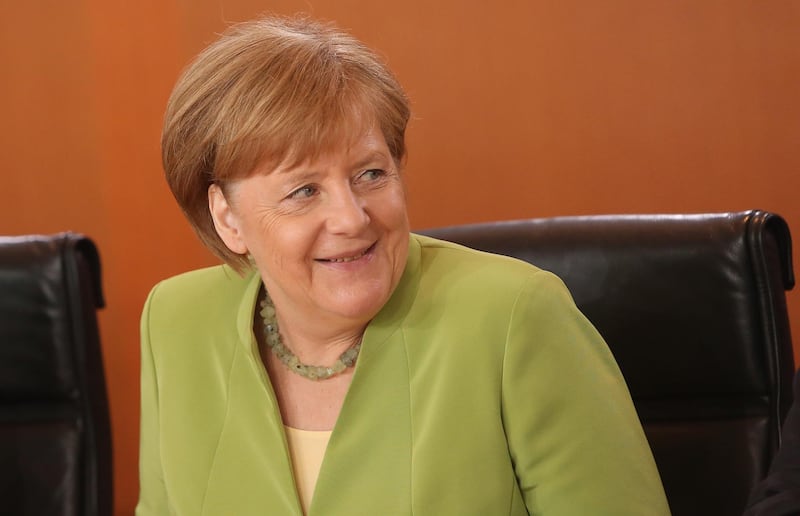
{"x": 307, "y": 448}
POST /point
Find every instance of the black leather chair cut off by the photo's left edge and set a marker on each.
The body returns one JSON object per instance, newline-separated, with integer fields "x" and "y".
{"x": 55, "y": 438}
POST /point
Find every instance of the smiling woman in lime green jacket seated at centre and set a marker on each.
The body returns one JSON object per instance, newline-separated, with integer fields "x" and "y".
{"x": 433, "y": 379}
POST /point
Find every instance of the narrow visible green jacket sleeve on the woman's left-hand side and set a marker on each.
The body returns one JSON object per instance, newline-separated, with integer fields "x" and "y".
{"x": 152, "y": 493}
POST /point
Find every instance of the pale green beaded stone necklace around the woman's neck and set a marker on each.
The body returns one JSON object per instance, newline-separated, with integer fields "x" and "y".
{"x": 289, "y": 359}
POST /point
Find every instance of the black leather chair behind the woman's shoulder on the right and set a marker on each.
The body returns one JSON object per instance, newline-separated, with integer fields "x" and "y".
{"x": 693, "y": 308}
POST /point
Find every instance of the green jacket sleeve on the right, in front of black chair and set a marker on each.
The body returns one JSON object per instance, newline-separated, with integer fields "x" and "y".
{"x": 573, "y": 433}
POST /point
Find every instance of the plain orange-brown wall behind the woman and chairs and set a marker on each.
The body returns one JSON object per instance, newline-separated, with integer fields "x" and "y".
{"x": 521, "y": 109}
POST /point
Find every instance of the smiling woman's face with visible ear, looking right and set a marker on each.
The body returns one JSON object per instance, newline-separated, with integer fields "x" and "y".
{"x": 329, "y": 236}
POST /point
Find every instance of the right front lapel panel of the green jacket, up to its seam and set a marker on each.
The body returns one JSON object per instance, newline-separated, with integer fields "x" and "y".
{"x": 367, "y": 465}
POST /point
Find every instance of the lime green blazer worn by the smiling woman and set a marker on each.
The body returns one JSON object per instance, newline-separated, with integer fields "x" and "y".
{"x": 480, "y": 390}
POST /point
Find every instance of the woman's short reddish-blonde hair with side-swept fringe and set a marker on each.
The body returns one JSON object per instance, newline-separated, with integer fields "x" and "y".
{"x": 273, "y": 89}
